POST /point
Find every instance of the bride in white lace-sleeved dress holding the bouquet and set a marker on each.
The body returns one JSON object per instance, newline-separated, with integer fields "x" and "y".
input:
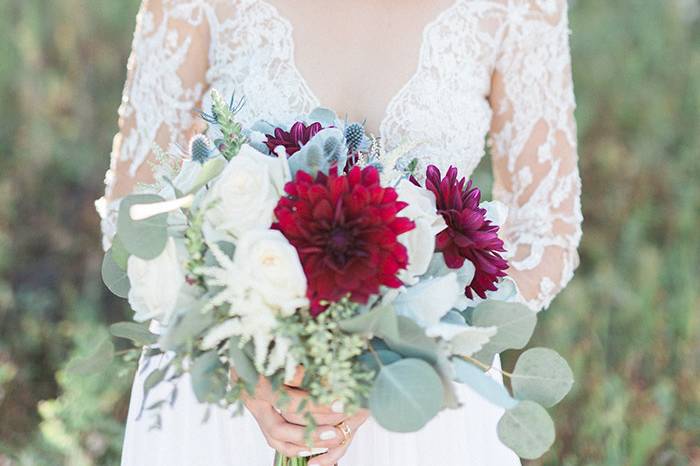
{"x": 442, "y": 74}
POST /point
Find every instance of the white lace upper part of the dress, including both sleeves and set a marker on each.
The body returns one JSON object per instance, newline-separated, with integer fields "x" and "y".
{"x": 498, "y": 67}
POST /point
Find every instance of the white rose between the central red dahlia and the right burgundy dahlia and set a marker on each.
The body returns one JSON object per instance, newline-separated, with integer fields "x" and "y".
{"x": 419, "y": 242}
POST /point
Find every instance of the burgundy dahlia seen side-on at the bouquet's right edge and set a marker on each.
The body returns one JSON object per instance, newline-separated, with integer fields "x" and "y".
{"x": 469, "y": 235}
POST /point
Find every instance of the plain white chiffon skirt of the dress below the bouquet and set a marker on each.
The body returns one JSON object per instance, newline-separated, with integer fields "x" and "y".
{"x": 462, "y": 437}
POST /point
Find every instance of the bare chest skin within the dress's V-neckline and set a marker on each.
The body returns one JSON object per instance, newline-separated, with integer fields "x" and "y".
{"x": 356, "y": 56}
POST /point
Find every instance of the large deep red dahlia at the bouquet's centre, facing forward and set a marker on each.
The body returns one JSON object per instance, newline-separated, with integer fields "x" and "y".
{"x": 345, "y": 229}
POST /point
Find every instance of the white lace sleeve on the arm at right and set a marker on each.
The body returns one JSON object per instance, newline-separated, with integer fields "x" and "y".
{"x": 534, "y": 149}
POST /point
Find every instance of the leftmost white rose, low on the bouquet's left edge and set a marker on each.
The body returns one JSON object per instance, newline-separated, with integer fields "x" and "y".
{"x": 155, "y": 284}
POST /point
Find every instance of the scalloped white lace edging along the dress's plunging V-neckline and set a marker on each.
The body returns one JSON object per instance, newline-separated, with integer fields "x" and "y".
{"x": 385, "y": 115}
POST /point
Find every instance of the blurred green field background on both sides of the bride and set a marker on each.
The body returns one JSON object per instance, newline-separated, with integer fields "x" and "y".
{"x": 629, "y": 323}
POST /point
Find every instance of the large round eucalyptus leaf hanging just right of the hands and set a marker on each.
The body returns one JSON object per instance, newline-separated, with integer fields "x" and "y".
{"x": 406, "y": 395}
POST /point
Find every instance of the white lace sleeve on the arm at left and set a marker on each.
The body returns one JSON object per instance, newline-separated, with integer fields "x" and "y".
{"x": 165, "y": 82}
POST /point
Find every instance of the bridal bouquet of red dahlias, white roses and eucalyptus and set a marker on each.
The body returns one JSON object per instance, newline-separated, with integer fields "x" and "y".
{"x": 304, "y": 244}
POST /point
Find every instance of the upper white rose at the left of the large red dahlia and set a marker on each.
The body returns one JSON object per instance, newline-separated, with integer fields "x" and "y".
{"x": 244, "y": 196}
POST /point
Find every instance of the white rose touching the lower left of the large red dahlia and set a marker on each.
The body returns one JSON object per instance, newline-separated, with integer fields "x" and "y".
{"x": 270, "y": 266}
